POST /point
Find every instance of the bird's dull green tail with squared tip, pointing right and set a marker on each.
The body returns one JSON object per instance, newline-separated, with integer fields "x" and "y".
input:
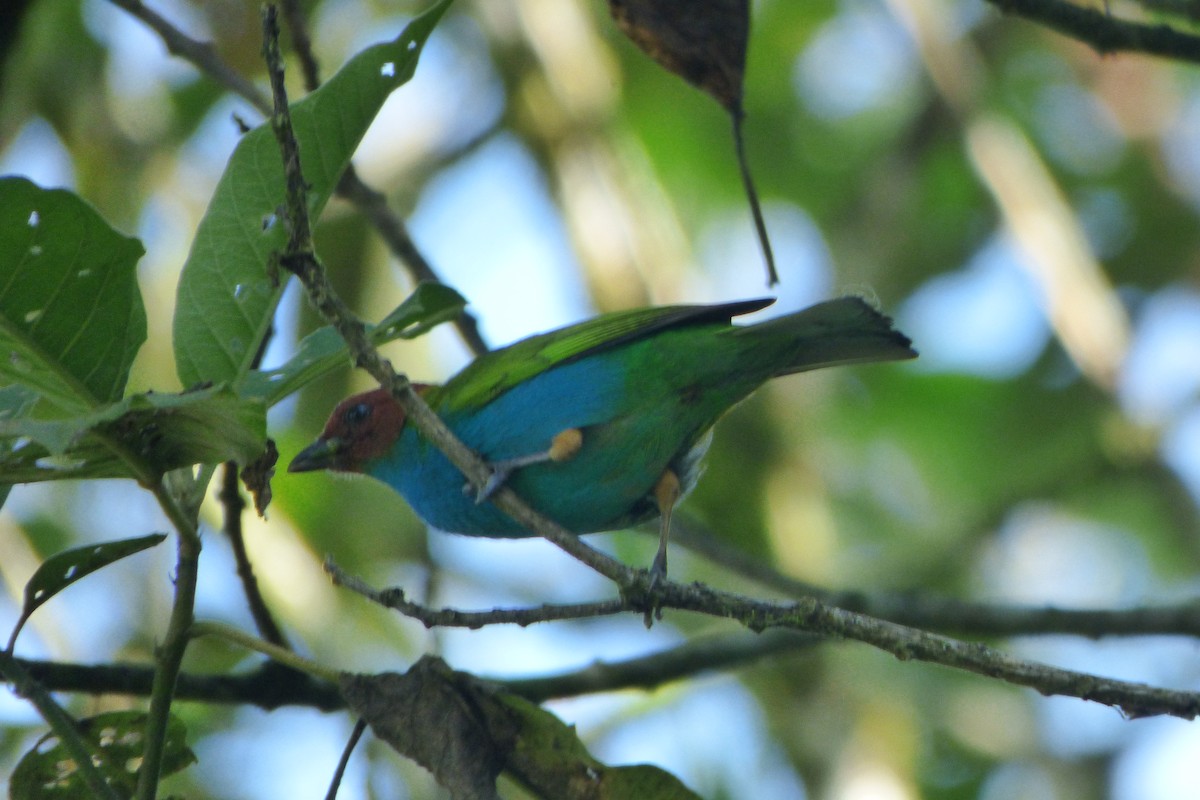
{"x": 838, "y": 332}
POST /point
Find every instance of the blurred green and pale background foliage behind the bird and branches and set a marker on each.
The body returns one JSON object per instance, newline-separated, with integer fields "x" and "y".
{"x": 950, "y": 478}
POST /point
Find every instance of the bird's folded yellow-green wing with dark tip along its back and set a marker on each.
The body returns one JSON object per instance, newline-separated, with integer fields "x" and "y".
{"x": 494, "y": 374}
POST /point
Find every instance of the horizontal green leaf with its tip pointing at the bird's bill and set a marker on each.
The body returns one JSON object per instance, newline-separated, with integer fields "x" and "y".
{"x": 164, "y": 431}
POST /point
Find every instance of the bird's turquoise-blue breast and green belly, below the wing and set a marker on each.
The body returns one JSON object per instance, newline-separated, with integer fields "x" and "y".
{"x": 605, "y": 486}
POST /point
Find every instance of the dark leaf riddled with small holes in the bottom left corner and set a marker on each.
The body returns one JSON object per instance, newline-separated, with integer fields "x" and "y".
{"x": 49, "y": 772}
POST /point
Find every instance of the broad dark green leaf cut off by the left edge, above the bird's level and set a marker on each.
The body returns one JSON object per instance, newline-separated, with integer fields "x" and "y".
{"x": 71, "y": 316}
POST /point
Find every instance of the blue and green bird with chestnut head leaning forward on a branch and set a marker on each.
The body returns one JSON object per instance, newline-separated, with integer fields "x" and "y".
{"x": 601, "y": 425}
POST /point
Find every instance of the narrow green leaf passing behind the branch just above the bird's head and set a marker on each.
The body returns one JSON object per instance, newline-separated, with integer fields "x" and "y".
{"x": 325, "y": 351}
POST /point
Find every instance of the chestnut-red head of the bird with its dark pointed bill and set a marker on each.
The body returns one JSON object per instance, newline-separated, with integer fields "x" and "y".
{"x": 362, "y": 429}
